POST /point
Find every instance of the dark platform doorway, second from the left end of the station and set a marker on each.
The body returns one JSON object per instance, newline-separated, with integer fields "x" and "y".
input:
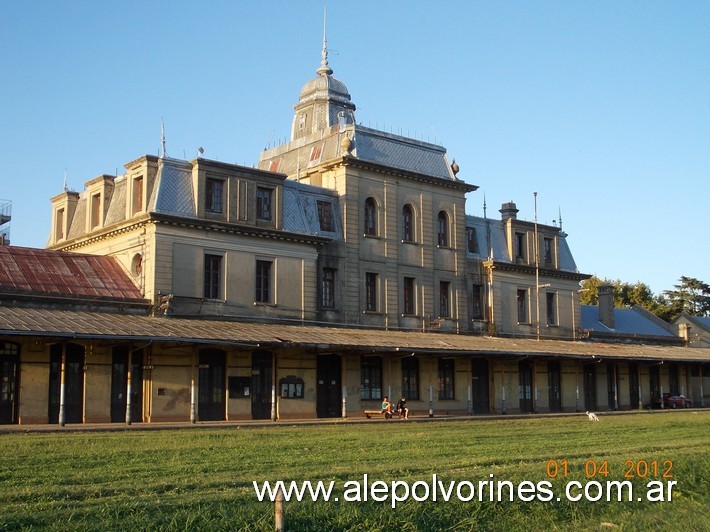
{"x": 73, "y": 383}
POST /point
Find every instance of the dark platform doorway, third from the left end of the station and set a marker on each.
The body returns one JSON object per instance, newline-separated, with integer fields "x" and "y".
{"x": 119, "y": 384}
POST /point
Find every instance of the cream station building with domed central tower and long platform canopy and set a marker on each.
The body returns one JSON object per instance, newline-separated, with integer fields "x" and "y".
{"x": 311, "y": 286}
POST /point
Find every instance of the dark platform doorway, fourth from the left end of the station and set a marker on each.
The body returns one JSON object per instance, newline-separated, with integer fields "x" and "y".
{"x": 211, "y": 398}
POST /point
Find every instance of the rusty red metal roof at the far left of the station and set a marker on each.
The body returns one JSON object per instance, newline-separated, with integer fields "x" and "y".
{"x": 60, "y": 273}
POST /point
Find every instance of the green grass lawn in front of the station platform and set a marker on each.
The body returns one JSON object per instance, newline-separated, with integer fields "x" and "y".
{"x": 201, "y": 478}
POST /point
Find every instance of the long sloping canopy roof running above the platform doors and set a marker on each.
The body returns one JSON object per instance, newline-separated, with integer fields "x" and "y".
{"x": 122, "y": 327}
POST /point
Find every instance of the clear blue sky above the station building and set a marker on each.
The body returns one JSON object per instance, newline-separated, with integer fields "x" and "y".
{"x": 603, "y": 108}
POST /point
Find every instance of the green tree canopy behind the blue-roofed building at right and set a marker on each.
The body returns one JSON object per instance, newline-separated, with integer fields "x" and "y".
{"x": 690, "y": 295}
